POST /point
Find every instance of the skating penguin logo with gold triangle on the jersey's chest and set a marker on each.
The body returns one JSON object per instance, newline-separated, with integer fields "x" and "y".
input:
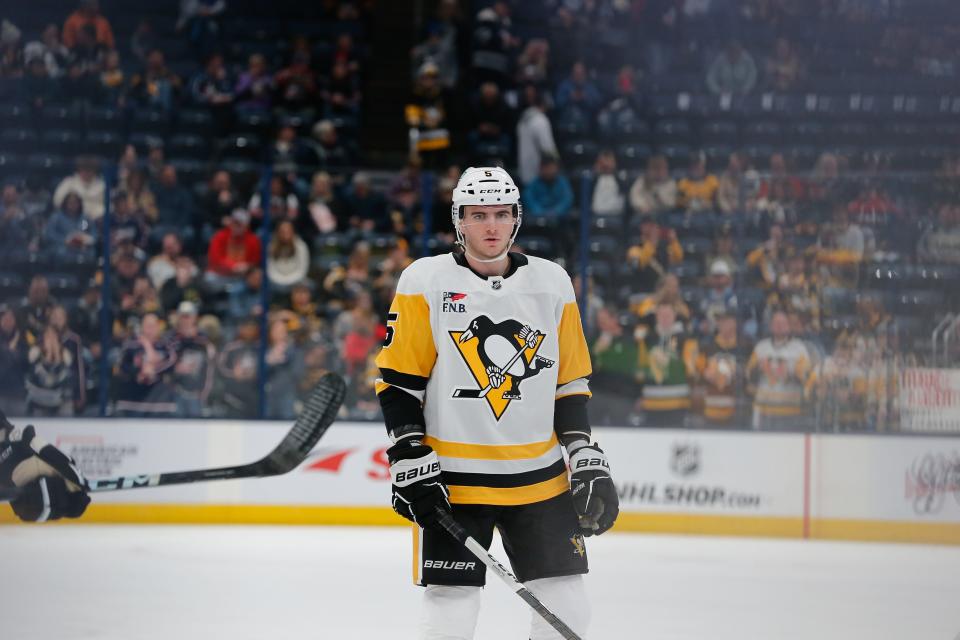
{"x": 499, "y": 356}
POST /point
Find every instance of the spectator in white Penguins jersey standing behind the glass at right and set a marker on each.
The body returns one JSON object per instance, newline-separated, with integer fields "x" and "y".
{"x": 778, "y": 372}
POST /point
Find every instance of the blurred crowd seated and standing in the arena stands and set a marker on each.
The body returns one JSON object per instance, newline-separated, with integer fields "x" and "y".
{"x": 770, "y": 270}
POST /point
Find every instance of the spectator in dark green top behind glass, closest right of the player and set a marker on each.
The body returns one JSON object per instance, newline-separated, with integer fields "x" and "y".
{"x": 614, "y": 355}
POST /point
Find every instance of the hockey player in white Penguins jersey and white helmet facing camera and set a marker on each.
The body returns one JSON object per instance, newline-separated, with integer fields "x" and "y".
{"x": 483, "y": 378}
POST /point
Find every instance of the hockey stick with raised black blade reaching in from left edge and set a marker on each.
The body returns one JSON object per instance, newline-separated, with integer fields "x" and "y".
{"x": 317, "y": 415}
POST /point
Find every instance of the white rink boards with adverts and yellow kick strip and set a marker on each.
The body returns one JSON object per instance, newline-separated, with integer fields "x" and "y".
{"x": 902, "y": 488}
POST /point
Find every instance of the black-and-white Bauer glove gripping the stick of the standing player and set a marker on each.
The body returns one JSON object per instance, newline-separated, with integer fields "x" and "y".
{"x": 417, "y": 487}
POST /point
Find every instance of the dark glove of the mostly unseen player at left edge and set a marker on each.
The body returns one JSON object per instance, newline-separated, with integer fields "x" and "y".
{"x": 46, "y": 482}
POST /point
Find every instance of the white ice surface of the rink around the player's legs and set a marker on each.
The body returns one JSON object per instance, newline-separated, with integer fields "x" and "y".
{"x": 315, "y": 583}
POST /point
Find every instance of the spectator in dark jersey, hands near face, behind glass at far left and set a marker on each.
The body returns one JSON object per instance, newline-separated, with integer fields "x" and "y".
{"x": 49, "y": 379}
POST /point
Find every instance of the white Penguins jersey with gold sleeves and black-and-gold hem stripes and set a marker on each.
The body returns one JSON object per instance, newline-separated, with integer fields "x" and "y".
{"x": 488, "y": 357}
